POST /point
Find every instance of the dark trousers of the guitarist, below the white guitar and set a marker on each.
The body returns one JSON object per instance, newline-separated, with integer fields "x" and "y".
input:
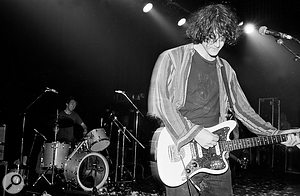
{"x": 210, "y": 185}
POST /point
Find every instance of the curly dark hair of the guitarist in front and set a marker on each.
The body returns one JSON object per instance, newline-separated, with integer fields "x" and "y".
{"x": 211, "y": 19}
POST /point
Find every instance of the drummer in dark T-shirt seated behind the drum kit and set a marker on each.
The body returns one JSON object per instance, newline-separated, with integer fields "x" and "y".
{"x": 66, "y": 121}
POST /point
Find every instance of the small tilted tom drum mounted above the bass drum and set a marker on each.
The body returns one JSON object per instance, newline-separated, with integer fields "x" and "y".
{"x": 97, "y": 140}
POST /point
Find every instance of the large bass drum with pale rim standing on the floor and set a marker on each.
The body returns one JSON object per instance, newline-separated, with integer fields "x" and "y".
{"x": 85, "y": 168}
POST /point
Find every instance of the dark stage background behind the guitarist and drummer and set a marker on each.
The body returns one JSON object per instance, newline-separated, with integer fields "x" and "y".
{"x": 90, "y": 48}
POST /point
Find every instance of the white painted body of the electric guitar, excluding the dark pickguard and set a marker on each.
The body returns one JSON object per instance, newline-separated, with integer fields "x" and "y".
{"x": 172, "y": 165}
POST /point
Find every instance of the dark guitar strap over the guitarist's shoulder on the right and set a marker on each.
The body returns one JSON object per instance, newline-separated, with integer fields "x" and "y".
{"x": 231, "y": 114}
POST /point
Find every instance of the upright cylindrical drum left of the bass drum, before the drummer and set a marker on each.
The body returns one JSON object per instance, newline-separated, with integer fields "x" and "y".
{"x": 60, "y": 152}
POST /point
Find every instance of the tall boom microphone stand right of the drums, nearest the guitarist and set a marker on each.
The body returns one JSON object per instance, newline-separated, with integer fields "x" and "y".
{"x": 136, "y": 126}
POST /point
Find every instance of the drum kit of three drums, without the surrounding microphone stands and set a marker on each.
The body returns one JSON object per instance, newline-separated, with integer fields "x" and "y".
{"x": 85, "y": 167}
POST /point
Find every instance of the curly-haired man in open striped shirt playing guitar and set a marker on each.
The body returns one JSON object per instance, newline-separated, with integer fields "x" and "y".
{"x": 187, "y": 93}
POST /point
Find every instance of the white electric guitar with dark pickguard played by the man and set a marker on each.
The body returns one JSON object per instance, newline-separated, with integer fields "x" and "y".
{"x": 176, "y": 167}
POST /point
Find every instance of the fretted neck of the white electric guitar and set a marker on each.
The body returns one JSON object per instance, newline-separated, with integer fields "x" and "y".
{"x": 252, "y": 142}
